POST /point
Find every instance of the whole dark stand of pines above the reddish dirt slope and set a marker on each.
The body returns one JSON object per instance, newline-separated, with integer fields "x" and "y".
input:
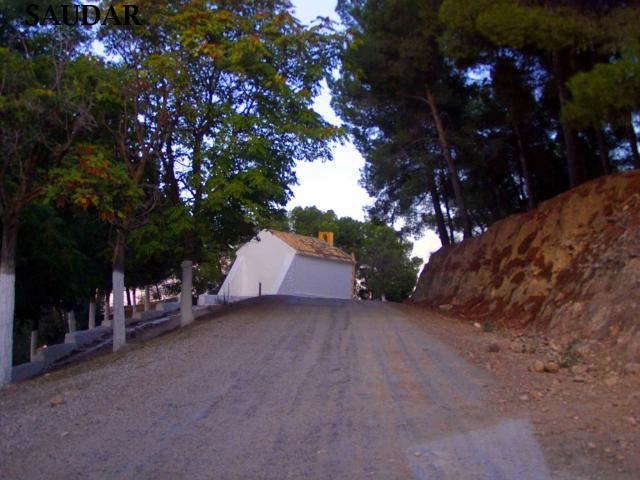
{"x": 468, "y": 111}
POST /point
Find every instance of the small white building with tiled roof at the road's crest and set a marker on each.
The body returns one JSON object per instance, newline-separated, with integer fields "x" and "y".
{"x": 281, "y": 263}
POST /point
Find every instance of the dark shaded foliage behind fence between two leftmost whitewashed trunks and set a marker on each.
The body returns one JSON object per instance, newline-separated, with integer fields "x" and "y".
{"x": 62, "y": 257}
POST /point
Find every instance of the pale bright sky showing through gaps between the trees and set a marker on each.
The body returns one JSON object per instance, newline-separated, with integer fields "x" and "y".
{"x": 334, "y": 185}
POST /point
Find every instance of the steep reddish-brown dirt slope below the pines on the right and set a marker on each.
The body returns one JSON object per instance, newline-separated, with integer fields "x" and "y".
{"x": 570, "y": 268}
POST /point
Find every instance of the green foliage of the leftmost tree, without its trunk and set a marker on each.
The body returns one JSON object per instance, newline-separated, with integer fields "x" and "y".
{"x": 42, "y": 111}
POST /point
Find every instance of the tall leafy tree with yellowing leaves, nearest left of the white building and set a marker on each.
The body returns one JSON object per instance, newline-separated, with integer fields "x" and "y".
{"x": 240, "y": 79}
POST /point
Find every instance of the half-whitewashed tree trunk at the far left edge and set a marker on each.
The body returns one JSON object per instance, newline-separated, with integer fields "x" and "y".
{"x": 7, "y": 295}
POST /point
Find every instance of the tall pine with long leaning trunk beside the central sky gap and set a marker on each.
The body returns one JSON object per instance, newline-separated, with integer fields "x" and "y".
{"x": 392, "y": 56}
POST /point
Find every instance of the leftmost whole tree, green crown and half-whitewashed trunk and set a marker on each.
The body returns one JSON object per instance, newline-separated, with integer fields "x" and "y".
{"x": 44, "y": 106}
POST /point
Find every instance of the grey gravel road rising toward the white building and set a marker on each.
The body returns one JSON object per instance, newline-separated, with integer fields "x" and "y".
{"x": 277, "y": 388}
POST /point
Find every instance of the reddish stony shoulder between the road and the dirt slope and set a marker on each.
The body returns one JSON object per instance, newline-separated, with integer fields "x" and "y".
{"x": 586, "y": 417}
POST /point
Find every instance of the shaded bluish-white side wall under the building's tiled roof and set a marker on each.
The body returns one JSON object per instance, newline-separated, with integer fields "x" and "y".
{"x": 317, "y": 277}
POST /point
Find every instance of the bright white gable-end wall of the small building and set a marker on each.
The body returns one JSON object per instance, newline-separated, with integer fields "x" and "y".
{"x": 265, "y": 261}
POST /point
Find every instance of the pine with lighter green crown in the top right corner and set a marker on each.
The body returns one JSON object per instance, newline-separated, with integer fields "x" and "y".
{"x": 566, "y": 38}
